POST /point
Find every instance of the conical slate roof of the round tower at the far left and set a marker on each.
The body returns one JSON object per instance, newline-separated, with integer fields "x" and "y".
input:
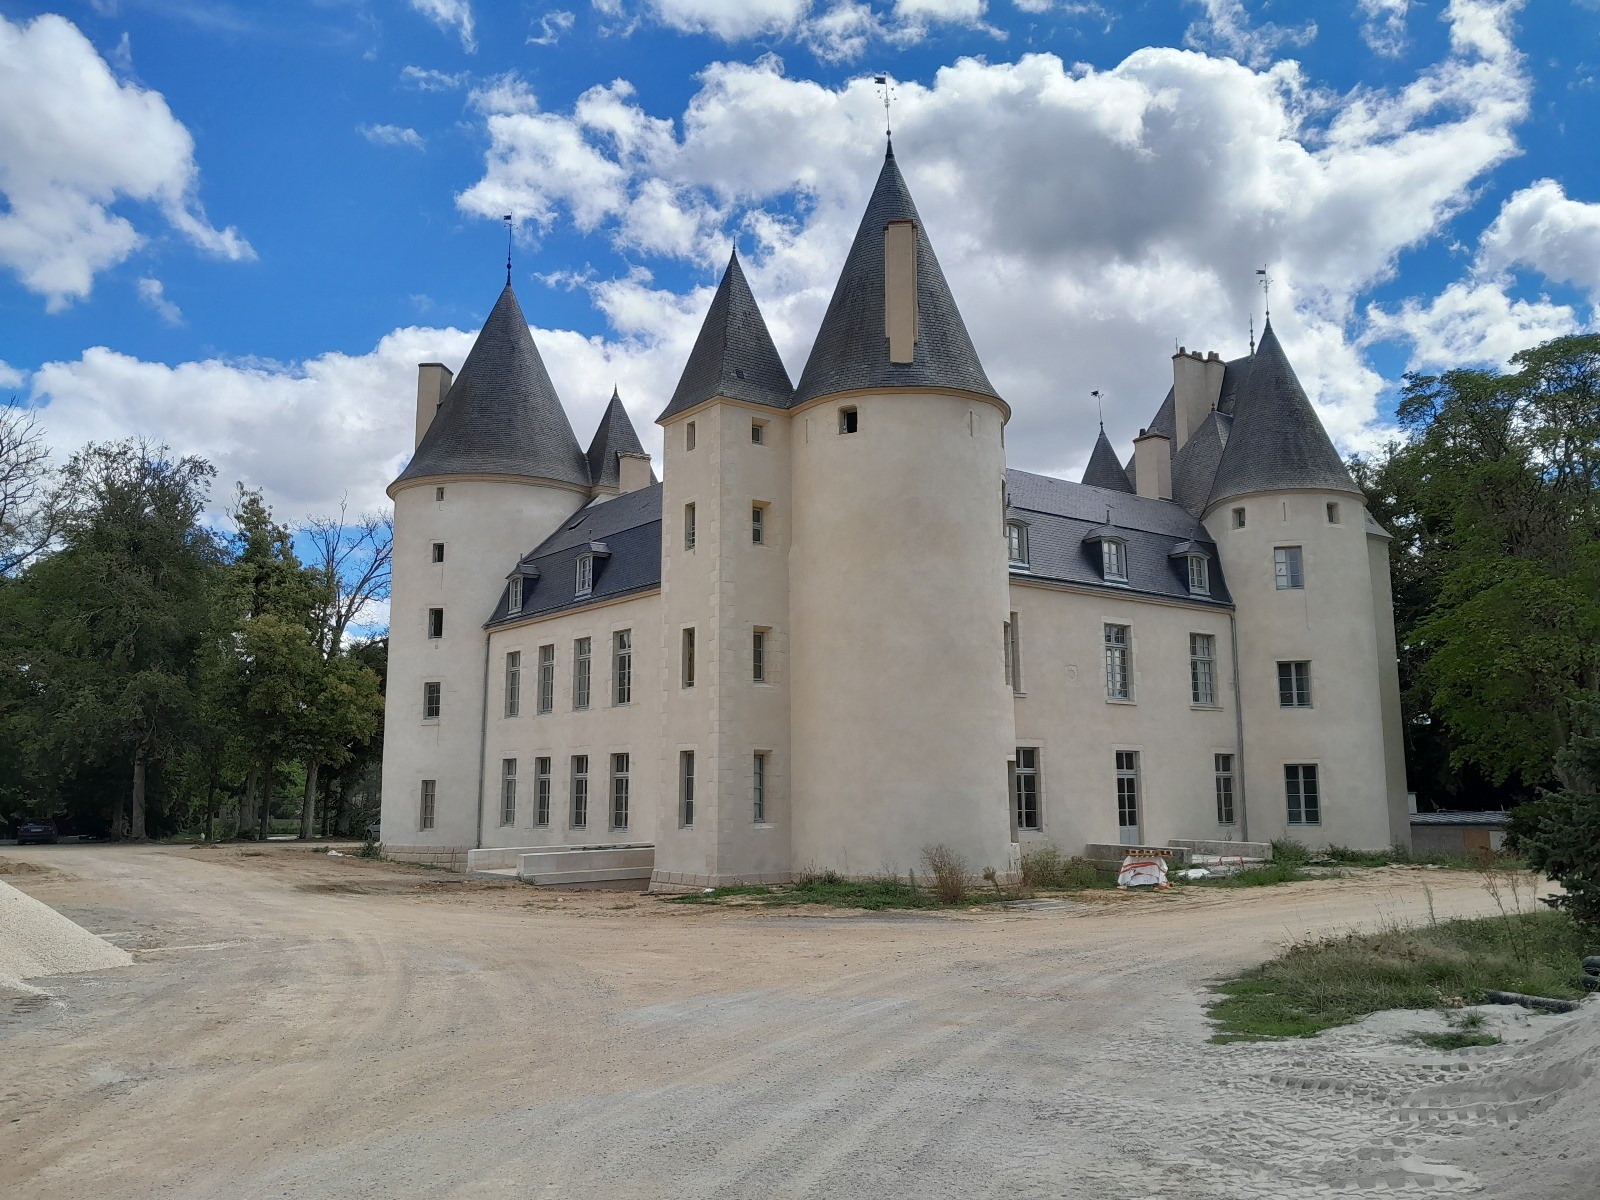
{"x": 502, "y": 415}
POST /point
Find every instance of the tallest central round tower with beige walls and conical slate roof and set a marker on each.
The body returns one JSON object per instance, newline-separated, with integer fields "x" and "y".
{"x": 902, "y": 719}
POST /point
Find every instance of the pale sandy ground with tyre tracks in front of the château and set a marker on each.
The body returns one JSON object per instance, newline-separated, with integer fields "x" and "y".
{"x": 300, "y": 1026}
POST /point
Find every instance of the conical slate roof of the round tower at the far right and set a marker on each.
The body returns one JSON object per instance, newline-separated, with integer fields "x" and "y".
{"x": 1276, "y": 441}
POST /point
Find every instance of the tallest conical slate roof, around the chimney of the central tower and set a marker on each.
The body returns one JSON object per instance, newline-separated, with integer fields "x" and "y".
{"x": 854, "y": 350}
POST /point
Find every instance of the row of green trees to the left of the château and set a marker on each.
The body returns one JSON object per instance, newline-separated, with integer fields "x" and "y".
{"x": 164, "y": 676}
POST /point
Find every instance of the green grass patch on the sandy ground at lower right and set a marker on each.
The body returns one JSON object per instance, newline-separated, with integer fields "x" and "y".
{"x": 1334, "y": 982}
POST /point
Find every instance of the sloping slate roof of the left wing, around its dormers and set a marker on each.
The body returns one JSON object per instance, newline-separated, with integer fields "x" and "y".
{"x": 631, "y": 530}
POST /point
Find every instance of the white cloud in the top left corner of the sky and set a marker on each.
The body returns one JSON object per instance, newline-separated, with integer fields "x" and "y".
{"x": 74, "y": 142}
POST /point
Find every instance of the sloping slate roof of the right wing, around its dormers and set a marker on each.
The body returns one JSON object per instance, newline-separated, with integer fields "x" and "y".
{"x": 1060, "y": 516}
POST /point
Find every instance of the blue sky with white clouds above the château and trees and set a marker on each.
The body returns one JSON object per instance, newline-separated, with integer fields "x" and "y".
{"x": 238, "y": 230}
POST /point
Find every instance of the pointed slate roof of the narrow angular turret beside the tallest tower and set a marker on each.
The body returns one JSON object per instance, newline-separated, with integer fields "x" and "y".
{"x": 734, "y": 354}
